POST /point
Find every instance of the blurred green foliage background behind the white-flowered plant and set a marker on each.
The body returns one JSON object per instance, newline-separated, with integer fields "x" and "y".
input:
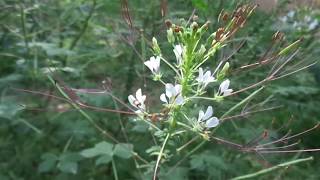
{"x": 92, "y": 44}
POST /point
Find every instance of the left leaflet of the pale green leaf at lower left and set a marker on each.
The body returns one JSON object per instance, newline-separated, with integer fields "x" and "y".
{"x": 102, "y": 148}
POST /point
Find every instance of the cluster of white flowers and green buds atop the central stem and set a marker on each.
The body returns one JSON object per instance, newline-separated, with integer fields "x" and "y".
{"x": 187, "y": 86}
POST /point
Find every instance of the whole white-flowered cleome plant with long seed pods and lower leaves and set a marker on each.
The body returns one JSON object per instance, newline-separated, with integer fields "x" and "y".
{"x": 197, "y": 86}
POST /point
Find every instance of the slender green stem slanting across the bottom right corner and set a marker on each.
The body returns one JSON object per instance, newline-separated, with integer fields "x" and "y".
{"x": 279, "y": 166}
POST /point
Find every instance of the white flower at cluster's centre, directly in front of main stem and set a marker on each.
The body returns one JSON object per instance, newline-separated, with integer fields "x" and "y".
{"x": 172, "y": 95}
